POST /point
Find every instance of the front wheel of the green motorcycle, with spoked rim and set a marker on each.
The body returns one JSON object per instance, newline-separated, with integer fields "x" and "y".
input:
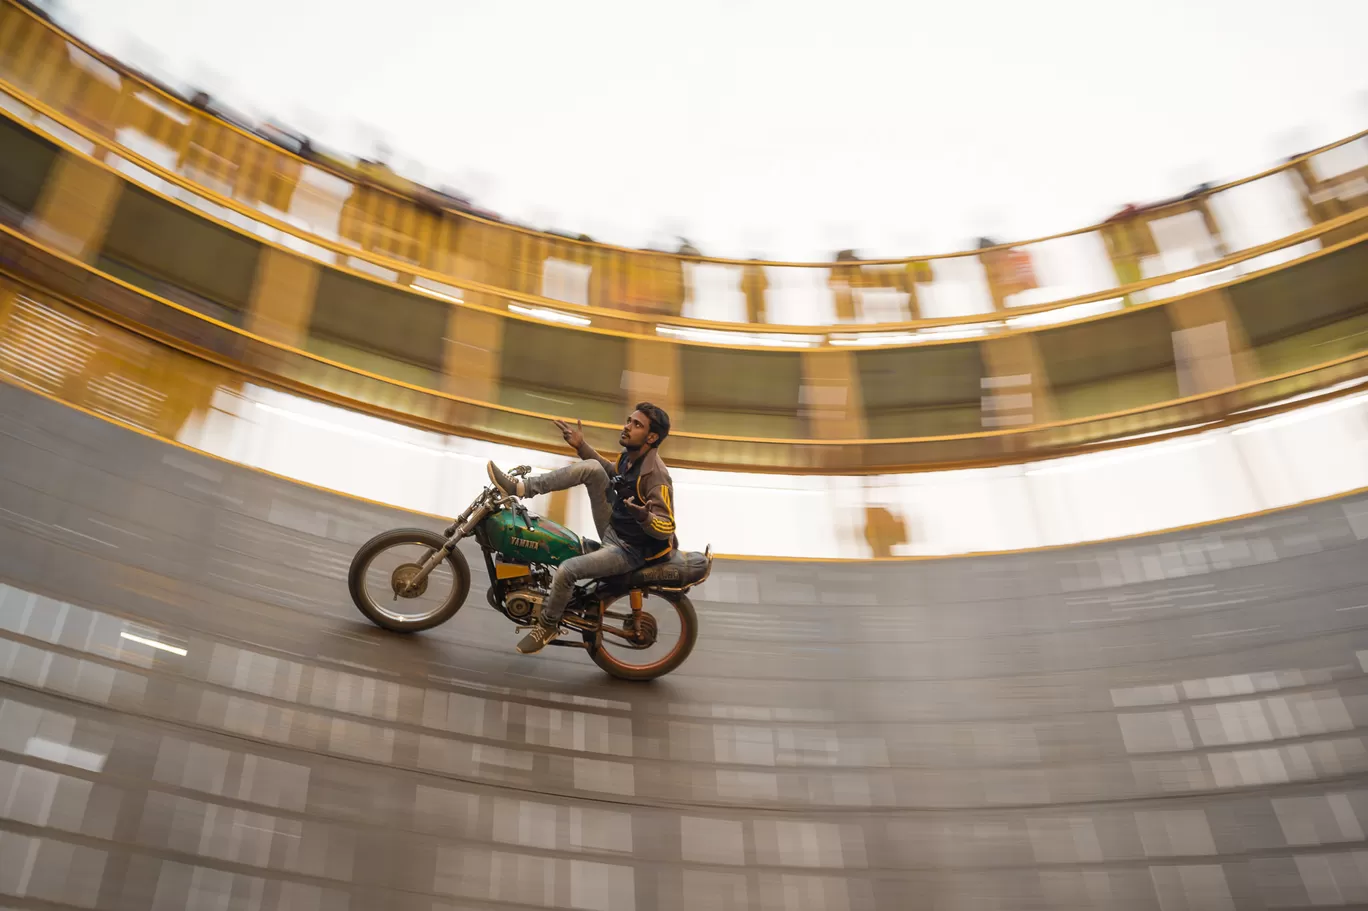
{"x": 388, "y": 562}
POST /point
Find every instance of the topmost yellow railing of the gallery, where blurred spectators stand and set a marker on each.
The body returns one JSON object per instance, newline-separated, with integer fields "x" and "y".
{"x": 374, "y": 221}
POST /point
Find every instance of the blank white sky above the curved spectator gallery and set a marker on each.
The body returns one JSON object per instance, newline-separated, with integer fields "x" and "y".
{"x": 782, "y": 128}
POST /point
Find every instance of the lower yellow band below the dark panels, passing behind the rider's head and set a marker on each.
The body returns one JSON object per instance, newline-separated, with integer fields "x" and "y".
{"x": 55, "y": 313}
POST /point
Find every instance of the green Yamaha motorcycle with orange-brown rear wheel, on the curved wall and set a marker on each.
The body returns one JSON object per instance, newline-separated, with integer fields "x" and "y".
{"x": 635, "y": 627}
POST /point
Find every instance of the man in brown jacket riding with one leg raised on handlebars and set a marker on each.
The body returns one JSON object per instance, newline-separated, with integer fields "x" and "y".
{"x": 633, "y": 505}
